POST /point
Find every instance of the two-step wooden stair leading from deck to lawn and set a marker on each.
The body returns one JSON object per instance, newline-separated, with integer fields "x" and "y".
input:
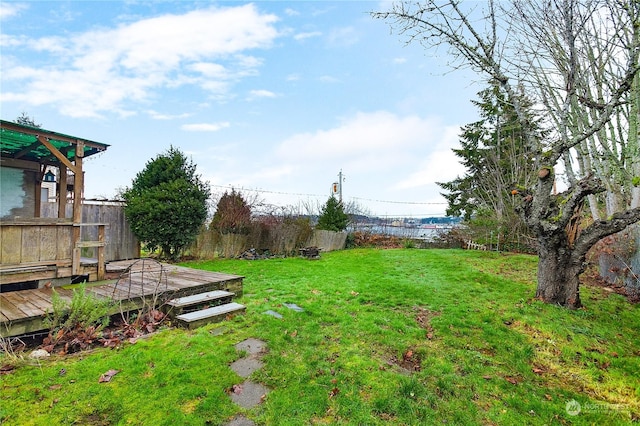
{"x": 203, "y": 308}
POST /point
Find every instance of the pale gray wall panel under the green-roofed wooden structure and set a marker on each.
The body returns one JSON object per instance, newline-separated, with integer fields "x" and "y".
{"x": 17, "y": 193}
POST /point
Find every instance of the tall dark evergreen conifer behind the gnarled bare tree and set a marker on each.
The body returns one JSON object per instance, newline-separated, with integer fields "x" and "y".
{"x": 496, "y": 155}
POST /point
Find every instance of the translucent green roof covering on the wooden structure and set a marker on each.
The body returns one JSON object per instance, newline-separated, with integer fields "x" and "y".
{"x": 19, "y": 142}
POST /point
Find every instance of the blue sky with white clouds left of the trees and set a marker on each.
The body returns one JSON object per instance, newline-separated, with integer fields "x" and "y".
{"x": 271, "y": 96}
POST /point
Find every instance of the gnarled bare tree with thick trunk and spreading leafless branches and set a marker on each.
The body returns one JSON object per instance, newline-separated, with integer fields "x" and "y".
{"x": 539, "y": 47}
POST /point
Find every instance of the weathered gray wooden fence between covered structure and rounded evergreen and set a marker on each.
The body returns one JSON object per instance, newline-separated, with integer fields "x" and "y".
{"x": 120, "y": 242}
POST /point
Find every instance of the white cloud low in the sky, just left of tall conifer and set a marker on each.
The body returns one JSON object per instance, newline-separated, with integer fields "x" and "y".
{"x": 377, "y": 141}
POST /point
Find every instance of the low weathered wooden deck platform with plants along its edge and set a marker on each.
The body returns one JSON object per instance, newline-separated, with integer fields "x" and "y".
{"x": 138, "y": 283}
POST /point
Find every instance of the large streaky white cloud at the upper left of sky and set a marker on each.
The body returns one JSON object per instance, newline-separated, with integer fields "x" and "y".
{"x": 103, "y": 70}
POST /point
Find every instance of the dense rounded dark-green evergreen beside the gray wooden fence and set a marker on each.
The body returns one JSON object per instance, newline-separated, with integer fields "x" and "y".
{"x": 167, "y": 203}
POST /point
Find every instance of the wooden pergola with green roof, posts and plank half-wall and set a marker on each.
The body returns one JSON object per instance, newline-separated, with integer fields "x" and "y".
{"x": 33, "y": 149}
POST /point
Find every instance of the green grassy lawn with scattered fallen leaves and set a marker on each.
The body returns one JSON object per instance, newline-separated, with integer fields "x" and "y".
{"x": 387, "y": 337}
